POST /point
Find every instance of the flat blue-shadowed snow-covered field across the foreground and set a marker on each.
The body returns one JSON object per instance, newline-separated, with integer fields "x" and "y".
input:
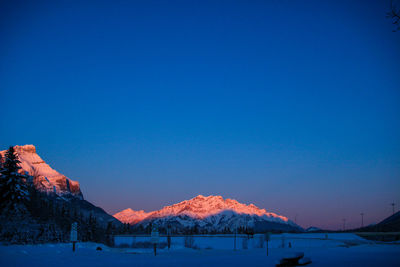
{"x": 337, "y": 250}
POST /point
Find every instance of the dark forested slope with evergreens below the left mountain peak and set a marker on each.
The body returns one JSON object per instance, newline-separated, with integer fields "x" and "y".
{"x": 30, "y": 215}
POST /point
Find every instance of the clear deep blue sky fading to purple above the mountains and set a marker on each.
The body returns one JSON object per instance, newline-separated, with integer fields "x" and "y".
{"x": 291, "y": 105}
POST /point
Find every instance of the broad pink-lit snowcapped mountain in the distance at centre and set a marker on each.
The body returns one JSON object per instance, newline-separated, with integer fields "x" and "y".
{"x": 212, "y": 213}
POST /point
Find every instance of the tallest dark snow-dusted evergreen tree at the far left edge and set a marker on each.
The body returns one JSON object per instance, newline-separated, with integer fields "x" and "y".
{"x": 14, "y": 193}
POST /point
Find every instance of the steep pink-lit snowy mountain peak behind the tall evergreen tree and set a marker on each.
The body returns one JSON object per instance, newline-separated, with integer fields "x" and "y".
{"x": 45, "y": 179}
